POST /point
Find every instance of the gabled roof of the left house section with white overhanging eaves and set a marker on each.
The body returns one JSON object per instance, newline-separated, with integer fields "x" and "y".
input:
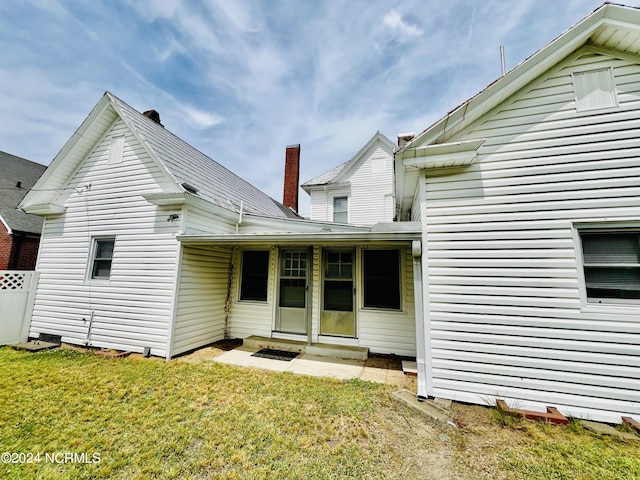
{"x": 190, "y": 171}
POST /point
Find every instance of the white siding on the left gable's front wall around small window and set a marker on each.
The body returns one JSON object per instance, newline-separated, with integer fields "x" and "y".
{"x": 133, "y": 309}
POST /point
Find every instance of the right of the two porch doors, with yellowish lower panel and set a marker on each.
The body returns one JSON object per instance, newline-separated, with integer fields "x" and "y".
{"x": 338, "y": 317}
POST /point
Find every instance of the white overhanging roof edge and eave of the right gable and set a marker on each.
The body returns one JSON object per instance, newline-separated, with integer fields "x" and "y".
{"x": 610, "y": 29}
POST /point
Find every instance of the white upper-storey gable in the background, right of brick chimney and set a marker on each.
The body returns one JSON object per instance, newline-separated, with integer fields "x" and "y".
{"x": 359, "y": 191}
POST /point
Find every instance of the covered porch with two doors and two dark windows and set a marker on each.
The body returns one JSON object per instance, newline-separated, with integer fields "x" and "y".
{"x": 345, "y": 288}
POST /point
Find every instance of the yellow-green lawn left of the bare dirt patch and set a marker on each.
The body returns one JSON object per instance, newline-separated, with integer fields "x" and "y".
{"x": 152, "y": 419}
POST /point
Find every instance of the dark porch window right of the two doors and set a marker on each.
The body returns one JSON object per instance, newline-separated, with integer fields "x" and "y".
{"x": 381, "y": 277}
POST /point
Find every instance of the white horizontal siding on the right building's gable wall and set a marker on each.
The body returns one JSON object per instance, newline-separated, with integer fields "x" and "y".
{"x": 506, "y": 315}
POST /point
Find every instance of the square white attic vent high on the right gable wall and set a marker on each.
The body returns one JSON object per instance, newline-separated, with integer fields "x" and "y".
{"x": 594, "y": 89}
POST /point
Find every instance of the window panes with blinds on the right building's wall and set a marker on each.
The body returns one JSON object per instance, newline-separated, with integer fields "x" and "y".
{"x": 611, "y": 262}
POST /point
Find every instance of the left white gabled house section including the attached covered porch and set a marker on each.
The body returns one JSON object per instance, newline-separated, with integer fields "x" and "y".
{"x": 149, "y": 244}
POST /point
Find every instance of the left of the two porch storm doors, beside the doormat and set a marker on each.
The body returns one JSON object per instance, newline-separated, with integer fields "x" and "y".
{"x": 291, "y": 315}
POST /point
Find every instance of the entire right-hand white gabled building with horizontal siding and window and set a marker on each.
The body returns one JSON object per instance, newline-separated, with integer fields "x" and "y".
{"x": 529, "y": 199}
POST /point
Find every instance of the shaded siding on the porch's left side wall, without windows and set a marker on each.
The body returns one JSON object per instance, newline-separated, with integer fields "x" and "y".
{"x": 203, "y": 289}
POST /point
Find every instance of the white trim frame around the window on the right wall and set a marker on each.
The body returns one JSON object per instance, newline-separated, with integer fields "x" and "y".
{"x": 610, "y": 304}
